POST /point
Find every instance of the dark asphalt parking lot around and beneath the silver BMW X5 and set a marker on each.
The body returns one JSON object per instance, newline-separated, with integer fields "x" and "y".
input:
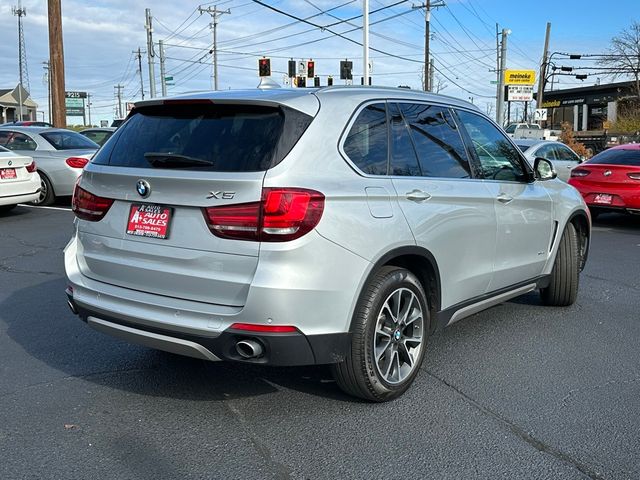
{"x": 518, "y": 391}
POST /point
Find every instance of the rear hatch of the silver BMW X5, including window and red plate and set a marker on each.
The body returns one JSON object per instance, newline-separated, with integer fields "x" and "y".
{"x": 162, "y": 169}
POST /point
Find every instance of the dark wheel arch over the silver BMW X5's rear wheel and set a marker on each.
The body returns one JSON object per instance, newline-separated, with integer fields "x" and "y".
{"x": 421, "y": 263}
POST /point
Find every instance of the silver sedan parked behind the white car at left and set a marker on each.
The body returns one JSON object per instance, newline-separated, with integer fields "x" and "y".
{"x": 60, "y": 155}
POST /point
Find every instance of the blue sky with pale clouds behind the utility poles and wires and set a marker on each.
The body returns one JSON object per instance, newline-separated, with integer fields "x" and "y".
{"x": 100, "y": 37}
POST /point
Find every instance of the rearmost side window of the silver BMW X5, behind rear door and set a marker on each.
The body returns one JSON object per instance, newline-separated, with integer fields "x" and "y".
{"x": 367, "y": 143}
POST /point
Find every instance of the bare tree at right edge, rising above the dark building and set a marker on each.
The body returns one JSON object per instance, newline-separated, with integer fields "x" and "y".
{"x": 624, "y": 55}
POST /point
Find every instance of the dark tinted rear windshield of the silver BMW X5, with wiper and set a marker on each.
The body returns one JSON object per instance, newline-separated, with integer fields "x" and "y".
{"x": 222, "y": 138}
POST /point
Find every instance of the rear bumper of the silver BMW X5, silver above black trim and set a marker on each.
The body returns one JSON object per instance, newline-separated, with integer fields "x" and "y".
{"x": 317, "y": 300}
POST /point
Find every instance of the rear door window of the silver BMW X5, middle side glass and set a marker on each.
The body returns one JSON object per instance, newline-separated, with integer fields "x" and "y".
{"x": 438, "y": 144}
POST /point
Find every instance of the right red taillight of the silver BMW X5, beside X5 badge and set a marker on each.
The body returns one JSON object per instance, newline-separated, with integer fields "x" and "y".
{"x": 283, "y": 214}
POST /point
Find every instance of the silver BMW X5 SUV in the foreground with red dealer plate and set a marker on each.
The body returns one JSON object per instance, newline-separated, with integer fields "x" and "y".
{"x": 339, "y": 226}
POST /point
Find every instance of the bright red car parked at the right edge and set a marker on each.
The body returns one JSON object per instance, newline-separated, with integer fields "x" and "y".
{"x": 610, "y": 181}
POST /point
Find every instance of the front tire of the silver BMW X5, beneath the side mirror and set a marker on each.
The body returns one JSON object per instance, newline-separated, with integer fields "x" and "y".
{"x": 563, "y": 288}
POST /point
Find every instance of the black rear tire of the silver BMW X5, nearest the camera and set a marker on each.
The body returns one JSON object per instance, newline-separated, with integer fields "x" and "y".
{"x": 359, "y": 374}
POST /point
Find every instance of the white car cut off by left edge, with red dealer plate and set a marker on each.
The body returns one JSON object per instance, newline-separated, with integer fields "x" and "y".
{"x": 19, "y": 180}
